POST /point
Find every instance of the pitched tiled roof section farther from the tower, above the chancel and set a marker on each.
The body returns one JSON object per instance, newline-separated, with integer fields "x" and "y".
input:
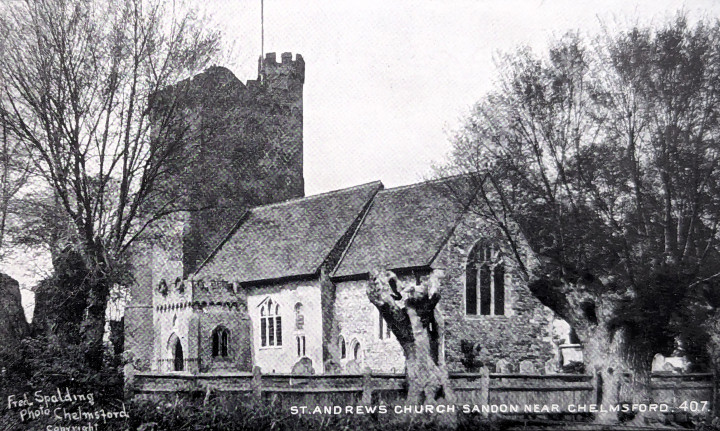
{"x": 405, "y": 227}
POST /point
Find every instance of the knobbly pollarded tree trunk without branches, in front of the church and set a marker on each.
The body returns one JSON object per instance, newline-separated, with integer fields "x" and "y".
{"x": 410, "y": 311}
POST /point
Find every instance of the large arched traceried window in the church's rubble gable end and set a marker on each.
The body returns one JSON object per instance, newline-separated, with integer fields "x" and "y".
{"x": 485, "y": 281}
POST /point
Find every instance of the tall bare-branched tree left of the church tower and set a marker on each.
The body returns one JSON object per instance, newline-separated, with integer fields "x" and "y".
{"x": 80, "y": 80}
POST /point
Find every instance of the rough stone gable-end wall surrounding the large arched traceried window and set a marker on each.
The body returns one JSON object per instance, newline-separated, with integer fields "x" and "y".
{"x": 523, "y": 333}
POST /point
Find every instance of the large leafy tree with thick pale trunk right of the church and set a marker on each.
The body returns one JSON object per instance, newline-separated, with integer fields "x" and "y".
{"x": 601, "y": 158}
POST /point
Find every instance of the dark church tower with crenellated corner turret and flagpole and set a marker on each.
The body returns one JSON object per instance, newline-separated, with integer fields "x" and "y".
{"x": 242, "y": 147}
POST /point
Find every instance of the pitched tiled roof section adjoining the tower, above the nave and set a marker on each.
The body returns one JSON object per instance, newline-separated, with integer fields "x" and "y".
{"x": 288, "y": 239}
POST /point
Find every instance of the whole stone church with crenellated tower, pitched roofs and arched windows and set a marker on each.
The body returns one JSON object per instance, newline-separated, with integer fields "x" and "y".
{"x": 279, "y": 280}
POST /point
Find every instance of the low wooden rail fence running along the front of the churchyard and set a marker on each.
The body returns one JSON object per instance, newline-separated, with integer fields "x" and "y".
{"x": 491, "y": 390}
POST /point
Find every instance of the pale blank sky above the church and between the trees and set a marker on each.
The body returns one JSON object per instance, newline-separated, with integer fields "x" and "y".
{"x": 387, "y": 82}
